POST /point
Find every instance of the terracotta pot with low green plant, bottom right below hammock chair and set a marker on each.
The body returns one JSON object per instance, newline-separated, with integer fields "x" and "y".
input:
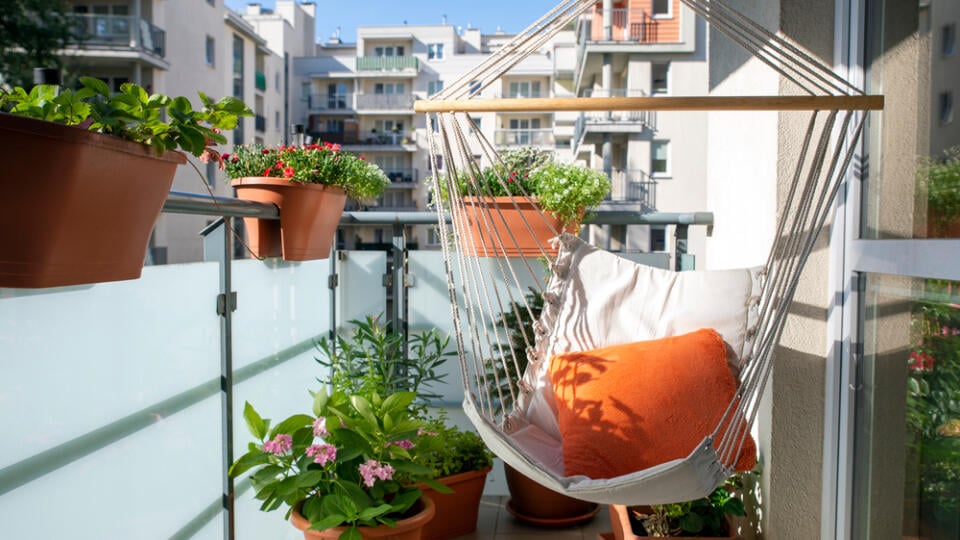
{"x": 703, "y": 518}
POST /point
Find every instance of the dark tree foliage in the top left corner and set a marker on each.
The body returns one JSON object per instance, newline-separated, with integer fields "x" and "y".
{"x": 32, "y": 34}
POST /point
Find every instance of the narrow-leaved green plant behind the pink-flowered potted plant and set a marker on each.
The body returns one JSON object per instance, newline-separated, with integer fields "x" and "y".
{"x": 370, "y": 358}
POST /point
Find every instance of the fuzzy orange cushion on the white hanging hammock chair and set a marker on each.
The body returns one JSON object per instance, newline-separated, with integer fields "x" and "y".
{"x": 629, "y": 407}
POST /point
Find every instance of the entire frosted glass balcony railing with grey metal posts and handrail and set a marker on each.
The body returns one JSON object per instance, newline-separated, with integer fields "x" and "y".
{"x": 159, "y": 368}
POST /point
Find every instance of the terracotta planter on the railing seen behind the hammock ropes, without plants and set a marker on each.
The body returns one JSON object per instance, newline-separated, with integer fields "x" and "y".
{"x": 519, "y": 224}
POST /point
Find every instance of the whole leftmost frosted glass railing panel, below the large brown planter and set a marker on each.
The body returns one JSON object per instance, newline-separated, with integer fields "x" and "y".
{"x": 111, "y": 392}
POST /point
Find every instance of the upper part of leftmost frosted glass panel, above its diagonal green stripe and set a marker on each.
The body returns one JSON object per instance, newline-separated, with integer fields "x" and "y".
{"x": 81, "y": 357}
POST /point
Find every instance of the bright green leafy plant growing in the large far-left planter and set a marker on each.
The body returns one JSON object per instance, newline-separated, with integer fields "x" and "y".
{"x": 132, "y": 114}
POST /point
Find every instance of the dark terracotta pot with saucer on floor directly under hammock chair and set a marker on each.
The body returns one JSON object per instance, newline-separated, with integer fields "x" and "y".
{"x": 535, "y": 504}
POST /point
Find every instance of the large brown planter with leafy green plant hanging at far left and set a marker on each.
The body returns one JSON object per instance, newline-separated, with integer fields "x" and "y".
{"x": 87, "y": 174}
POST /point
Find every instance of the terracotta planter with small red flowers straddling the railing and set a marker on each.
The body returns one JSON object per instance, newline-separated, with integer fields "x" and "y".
{"x": 309, "y": 184}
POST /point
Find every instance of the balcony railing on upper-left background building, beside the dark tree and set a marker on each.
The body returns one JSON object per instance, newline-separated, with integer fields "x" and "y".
{"x": 119, "y": 32}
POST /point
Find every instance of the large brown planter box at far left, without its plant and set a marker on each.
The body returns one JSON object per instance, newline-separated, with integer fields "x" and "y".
{"x": 77, "y": 207}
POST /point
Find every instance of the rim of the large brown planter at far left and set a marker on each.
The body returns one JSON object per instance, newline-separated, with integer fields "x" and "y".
{"x": 76, "y": 135}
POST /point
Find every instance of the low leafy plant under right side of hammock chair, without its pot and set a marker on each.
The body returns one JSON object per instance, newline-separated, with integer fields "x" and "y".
{"x": 702, "y": 517}
